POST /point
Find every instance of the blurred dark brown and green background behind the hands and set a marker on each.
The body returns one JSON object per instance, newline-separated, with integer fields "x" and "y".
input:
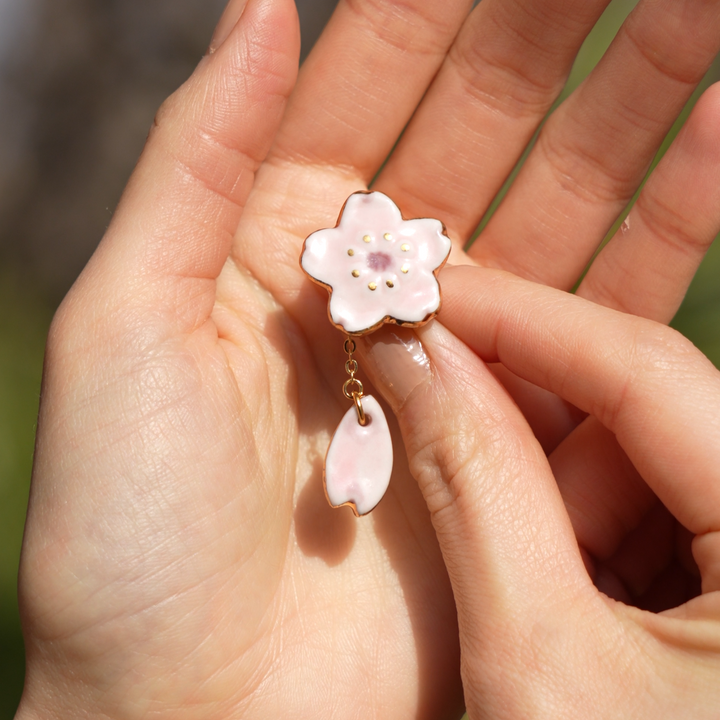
{"x": 93, "y": 99}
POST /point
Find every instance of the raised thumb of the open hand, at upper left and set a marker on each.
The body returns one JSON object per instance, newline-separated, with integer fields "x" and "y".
{"x": 172, "y": 231}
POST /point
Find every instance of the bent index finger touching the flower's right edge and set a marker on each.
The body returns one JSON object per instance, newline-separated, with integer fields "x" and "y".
{"x": 643, "y": 381}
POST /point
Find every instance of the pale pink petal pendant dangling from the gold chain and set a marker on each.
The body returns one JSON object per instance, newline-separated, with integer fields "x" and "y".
{"x": 359, "y": 460}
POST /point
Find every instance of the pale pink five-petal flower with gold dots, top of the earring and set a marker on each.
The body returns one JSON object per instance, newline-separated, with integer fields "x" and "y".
{"x": 378, "y": 267}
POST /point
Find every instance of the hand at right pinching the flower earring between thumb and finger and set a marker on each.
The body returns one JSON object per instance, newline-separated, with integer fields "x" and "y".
{"x": 538, "y": 639}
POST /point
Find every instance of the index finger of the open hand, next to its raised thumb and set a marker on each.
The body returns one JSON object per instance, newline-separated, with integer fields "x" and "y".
{"x": 363, "y": 80}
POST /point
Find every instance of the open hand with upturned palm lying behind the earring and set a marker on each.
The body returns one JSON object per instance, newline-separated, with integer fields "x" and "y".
{"x": 179, "y": 557}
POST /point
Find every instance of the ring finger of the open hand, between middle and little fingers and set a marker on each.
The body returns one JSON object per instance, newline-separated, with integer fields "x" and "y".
{"x": 592, "y": 153}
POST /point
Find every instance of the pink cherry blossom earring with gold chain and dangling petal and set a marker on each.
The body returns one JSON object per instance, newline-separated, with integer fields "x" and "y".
{"x": 378, "y": 268}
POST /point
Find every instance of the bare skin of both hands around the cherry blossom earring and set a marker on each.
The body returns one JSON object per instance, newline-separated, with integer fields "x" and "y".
{"x": 180, "y": 560}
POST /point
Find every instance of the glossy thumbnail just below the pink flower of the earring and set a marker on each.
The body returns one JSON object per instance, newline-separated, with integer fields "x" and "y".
{"x": 396, "y": 363}
